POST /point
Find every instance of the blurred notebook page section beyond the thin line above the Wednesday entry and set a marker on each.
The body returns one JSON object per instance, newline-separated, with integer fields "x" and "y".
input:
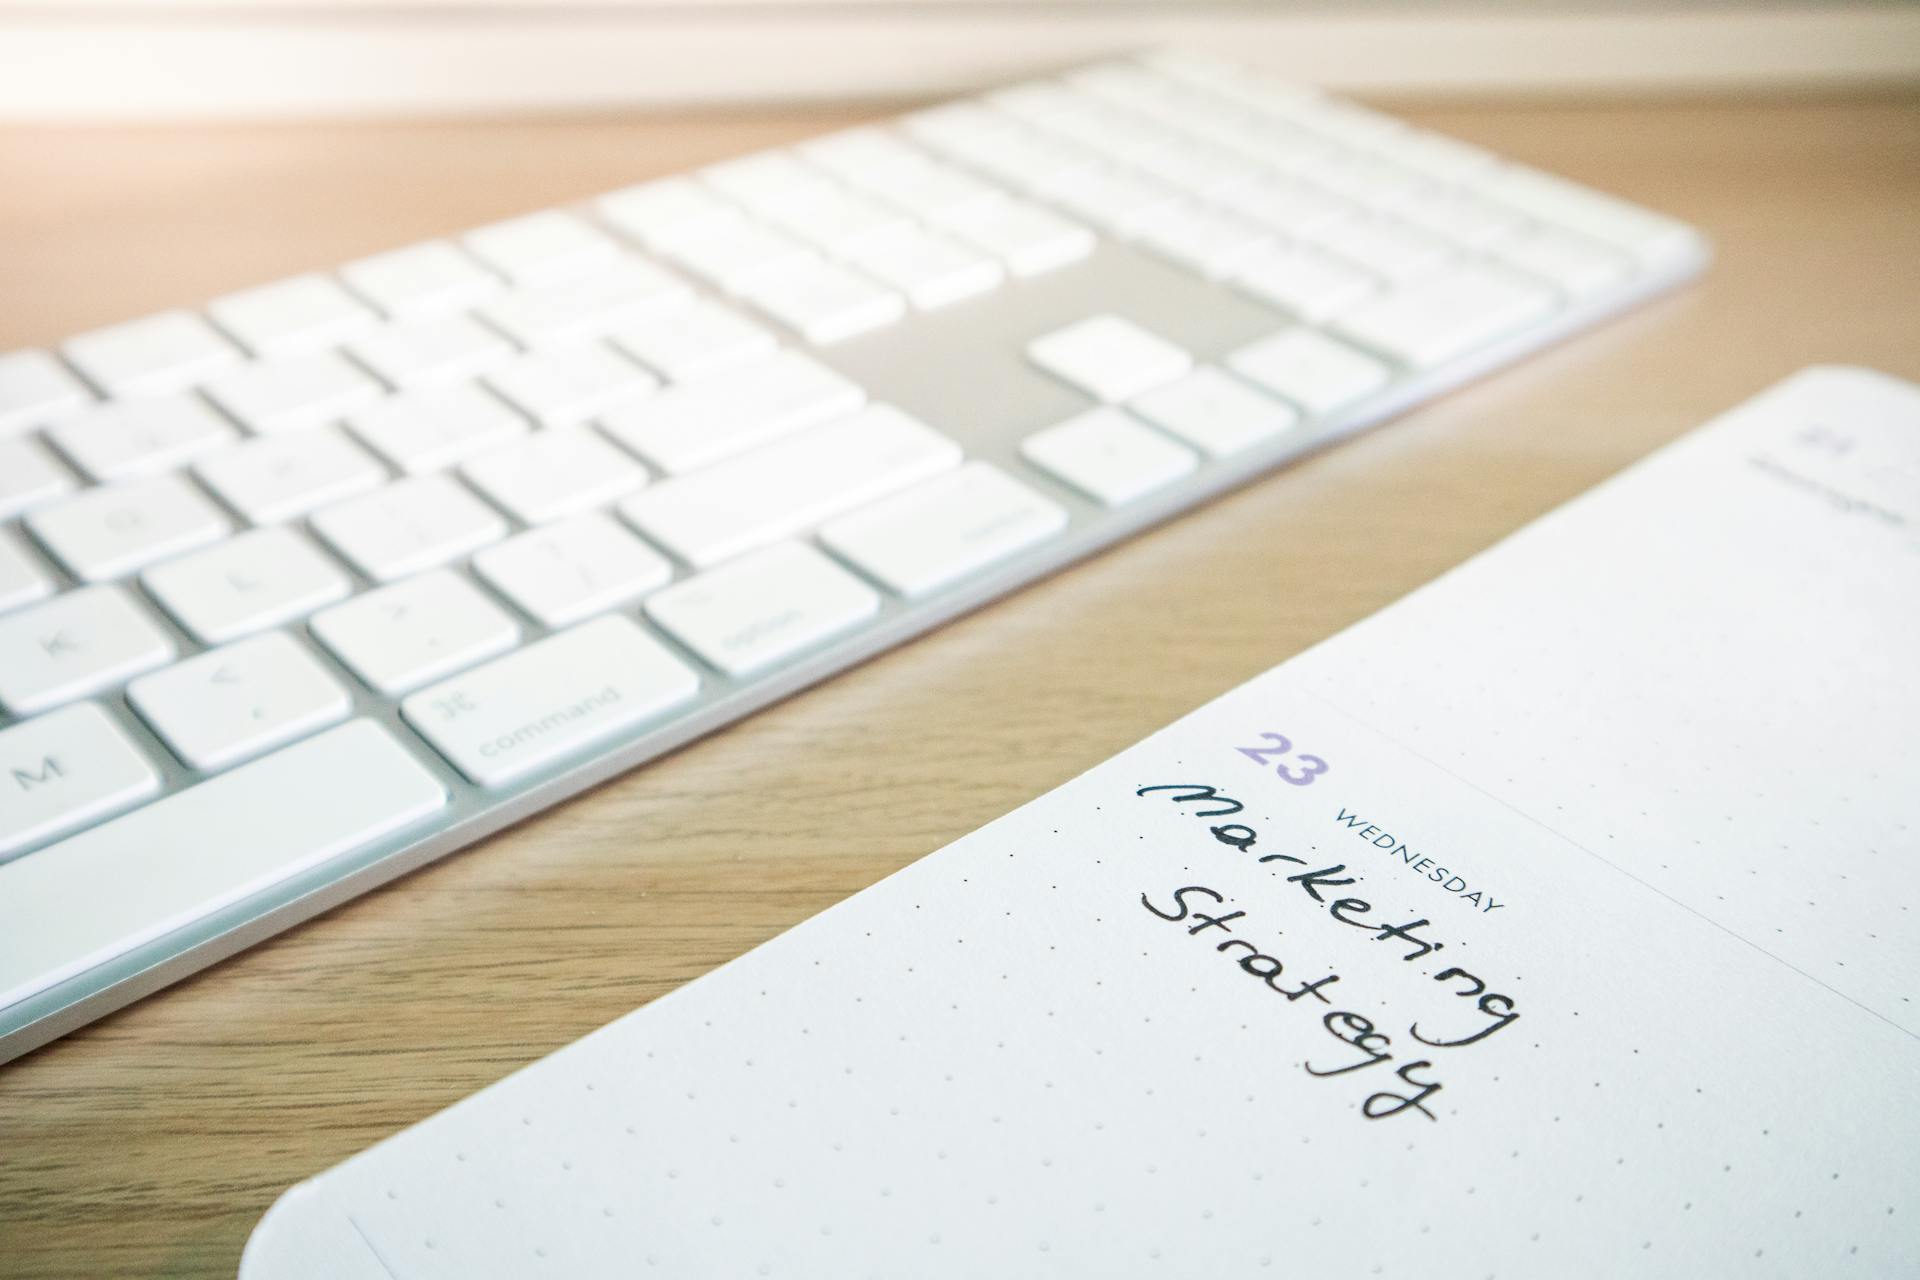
{"x": 1717, "y": 696}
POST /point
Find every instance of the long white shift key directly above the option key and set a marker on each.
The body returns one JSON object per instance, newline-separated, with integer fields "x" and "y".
{"x": 790, "y": 486}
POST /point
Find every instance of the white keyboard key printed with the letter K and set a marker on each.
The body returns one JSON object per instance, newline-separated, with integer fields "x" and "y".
{"x": 72, "y": 646}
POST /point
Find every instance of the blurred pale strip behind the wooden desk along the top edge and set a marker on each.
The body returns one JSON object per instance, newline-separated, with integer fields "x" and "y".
{"x": 306, "y": 59}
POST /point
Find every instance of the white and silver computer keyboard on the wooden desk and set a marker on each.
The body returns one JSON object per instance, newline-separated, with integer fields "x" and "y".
{"x": 339, "y": 575}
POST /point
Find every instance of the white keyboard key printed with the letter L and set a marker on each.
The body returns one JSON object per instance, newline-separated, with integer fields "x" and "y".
{"x": 247, "y": 584}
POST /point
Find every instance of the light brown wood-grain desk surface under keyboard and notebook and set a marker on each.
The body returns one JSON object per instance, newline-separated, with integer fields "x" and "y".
{"x": 153, "y": 1141}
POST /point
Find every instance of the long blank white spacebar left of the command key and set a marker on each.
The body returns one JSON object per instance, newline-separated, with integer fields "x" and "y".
{"x": 103, "y": 893}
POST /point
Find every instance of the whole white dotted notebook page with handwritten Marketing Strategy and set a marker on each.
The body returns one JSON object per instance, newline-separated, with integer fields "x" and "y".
{"x": 1474, "y": 943}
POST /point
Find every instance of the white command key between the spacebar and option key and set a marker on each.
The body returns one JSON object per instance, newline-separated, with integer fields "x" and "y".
{"x": 552, "y": 699}
